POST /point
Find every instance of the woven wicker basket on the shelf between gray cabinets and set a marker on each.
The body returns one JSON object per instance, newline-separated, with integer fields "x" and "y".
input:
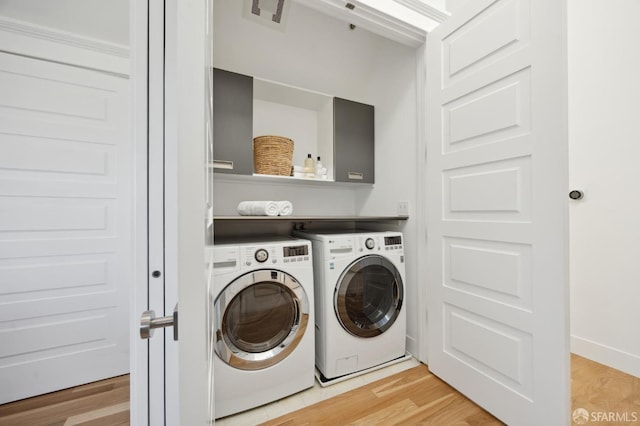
{"x": 272, "y": 155}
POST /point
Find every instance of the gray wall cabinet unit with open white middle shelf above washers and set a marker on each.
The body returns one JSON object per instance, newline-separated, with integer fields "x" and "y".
{"x": 347, "y": 125}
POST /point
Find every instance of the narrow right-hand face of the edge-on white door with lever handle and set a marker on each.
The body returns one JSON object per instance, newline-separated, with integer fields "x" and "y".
{"x": 190, "y": 115}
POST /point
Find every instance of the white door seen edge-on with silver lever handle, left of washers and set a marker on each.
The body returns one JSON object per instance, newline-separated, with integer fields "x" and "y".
{"x": 171, "y": 381}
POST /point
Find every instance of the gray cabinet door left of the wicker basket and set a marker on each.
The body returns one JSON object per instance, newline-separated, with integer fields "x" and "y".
{"x": 232, "y": 122}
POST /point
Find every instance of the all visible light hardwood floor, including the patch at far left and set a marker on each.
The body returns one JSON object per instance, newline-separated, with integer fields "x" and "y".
{"x": 409, "y": 397}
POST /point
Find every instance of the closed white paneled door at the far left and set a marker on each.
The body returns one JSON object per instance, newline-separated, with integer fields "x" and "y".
{"x": 65, "y": 226}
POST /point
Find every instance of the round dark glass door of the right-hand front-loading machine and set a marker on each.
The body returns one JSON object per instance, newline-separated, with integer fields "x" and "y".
{"x": 369, "y": 296}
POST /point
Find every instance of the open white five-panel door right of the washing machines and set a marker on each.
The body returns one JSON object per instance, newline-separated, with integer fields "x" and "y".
{"x": 497, "y": 208}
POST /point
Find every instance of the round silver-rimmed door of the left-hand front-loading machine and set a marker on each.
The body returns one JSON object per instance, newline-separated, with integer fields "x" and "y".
{"x": 259, "y": 319}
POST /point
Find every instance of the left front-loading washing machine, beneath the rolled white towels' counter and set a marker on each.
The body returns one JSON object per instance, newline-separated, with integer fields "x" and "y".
{"x": 261, "y": 321}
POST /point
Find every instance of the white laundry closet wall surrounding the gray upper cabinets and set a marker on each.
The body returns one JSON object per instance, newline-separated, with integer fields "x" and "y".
{"x": 321, "y": 53}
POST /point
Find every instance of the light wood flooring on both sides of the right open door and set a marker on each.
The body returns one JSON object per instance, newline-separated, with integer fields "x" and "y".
{"x": 417, "y": 397}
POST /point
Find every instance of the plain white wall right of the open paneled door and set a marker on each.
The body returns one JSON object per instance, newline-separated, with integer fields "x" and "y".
{"x": 604, "y": 138}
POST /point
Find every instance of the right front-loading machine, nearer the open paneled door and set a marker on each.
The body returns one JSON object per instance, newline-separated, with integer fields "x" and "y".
{"x": 359, "y": 300}
